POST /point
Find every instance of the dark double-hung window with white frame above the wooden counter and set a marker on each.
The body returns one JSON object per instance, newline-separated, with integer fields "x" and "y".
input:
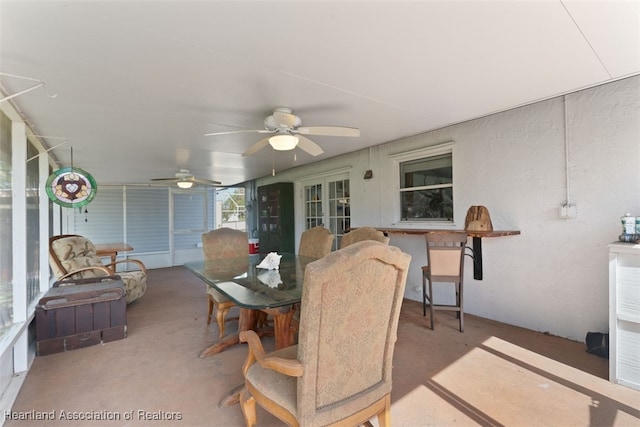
{"x": 426, "y": 188}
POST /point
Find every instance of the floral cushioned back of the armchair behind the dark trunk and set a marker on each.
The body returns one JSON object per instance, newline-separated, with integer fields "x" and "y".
{"x": 71, "y": 252}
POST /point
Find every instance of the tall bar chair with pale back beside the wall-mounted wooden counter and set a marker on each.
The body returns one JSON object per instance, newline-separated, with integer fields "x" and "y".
{"x": 445, "y": 263}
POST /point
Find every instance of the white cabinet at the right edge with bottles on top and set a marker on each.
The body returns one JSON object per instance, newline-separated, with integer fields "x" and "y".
{"x": 624, "y": 314}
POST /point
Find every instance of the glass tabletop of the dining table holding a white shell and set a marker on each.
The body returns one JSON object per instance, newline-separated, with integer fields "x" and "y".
{"x": 251, "y": 287}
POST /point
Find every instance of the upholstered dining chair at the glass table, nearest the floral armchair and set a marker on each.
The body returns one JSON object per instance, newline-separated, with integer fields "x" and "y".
{"x": 217, "y": 244}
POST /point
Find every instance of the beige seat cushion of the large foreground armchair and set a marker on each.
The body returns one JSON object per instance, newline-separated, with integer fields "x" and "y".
{"x": 281, "y": 389}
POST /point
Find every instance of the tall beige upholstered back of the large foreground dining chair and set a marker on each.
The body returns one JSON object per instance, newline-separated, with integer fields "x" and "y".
{"x": 348, "y": 323}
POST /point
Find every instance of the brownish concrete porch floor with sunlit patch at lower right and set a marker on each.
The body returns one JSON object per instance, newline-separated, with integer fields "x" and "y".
{"x": 492, "y": 374}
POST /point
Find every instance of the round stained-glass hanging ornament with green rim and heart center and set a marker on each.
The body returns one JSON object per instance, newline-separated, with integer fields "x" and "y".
{"x": 71, "y": 187}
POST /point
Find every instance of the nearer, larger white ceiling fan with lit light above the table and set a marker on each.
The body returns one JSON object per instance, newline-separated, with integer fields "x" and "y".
{"x": 287, "y": 133}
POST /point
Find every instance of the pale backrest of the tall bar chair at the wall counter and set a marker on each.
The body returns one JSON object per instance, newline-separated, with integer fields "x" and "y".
{"x": 445, "y": 256}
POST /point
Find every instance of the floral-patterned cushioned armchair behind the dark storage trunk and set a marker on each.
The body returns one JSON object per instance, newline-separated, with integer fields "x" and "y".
{"x": 74, "y": 256}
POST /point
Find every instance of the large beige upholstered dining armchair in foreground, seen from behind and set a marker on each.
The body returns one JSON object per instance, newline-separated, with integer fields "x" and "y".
{"x": 340, "y": 370}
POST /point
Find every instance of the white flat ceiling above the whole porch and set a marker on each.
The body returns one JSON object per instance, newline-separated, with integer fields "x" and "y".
{"x": 138, "y": 84}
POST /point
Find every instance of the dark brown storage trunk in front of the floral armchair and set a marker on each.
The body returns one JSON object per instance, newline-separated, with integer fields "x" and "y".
{"x": 83, "y": 313}
